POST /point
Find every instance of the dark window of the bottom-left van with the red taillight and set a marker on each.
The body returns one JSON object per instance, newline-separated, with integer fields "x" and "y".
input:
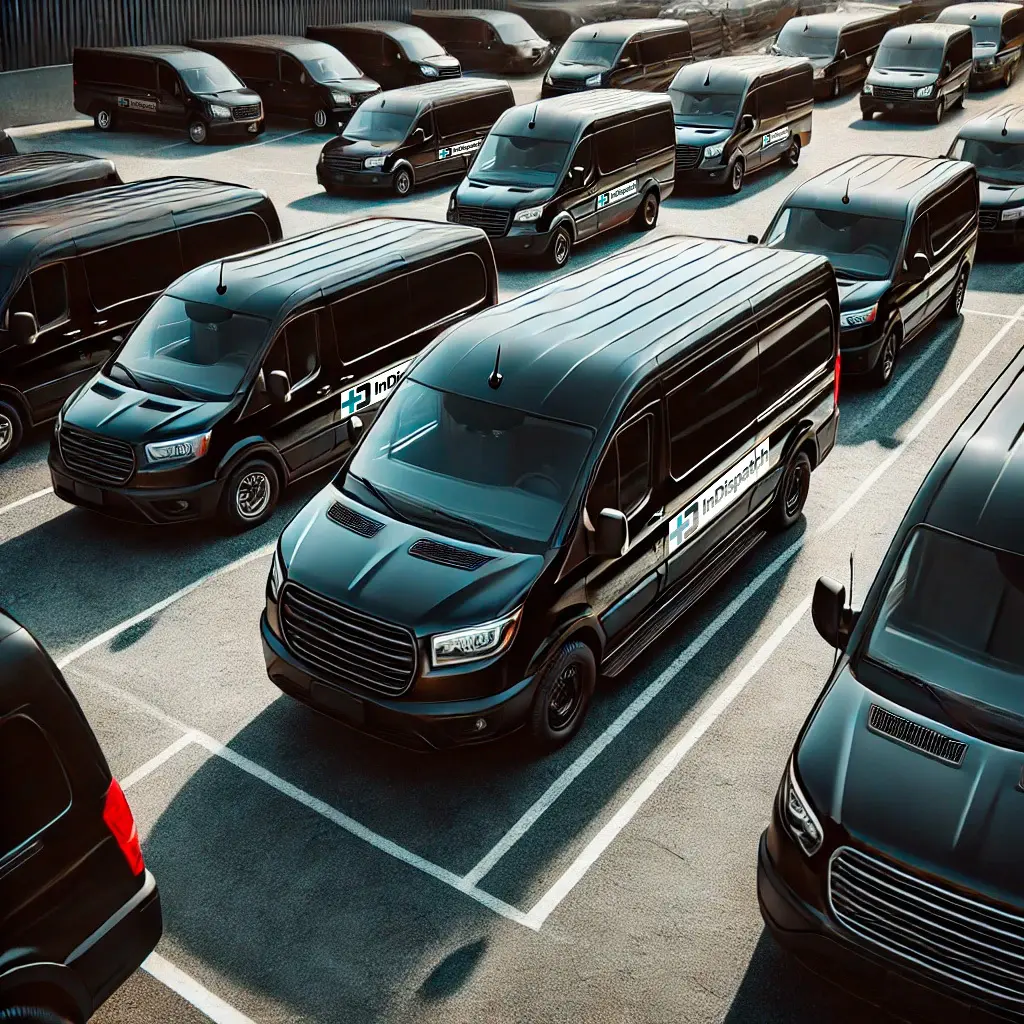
{"x": 27, "y": 754}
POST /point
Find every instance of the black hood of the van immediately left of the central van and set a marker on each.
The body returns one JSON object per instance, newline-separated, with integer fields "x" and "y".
{"x": 106, "y": 407}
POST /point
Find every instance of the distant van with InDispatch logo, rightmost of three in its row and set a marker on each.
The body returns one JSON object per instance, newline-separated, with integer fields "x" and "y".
{"x": 737, "y": 115}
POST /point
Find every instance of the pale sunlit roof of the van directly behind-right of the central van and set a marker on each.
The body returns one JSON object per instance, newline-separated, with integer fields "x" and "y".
{"x": 878, "y": 186}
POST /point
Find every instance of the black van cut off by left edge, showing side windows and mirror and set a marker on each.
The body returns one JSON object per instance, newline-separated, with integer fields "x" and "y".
{"x": 77, "y": 273}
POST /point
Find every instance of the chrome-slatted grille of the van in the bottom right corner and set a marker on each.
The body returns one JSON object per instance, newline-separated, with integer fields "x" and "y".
{"x": 962, "y": 940}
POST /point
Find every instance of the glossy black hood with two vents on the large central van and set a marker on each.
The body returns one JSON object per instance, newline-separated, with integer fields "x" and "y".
{"x": 379, "y": 577}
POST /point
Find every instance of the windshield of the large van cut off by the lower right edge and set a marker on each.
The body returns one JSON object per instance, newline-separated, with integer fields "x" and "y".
{"x": 953, "y": 619}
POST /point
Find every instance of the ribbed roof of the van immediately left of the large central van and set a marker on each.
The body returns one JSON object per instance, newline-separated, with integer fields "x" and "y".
{"x": 274, "y": 281}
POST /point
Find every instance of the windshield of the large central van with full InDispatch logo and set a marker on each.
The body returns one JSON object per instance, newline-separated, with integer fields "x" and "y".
{"x": 506, "y": 474}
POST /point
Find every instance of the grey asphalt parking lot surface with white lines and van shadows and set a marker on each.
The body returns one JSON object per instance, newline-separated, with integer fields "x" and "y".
{"x": 310, "y": 874}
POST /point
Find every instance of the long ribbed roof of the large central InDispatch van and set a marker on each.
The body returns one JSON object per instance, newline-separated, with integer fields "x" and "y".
{"x": 576, "y": 349}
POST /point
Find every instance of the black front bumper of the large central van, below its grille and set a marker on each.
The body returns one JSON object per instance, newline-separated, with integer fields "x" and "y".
{"x": 436, "y": 726}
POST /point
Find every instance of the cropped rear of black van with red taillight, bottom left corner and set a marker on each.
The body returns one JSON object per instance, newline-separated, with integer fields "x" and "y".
{"x": 79, "y": 912}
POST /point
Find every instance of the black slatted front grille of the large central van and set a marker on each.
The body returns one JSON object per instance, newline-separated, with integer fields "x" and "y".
{"x": 347, "y": 646}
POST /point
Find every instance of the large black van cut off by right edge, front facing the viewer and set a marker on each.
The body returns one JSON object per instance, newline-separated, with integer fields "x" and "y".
{"x": 891, "y": 862}
